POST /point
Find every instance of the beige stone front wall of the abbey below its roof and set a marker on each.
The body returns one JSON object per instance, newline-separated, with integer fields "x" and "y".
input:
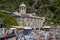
{"x": 31, "y": 22}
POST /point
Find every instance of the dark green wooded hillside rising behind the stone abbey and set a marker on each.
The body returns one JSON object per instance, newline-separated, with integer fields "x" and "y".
{"x": 50, "y": 9}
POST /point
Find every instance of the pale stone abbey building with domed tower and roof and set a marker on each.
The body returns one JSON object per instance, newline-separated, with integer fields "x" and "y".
{"x": 28, "y": 19}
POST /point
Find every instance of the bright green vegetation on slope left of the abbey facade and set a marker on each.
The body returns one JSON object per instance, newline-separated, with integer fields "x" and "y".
{"x": 8, "y": 20}
